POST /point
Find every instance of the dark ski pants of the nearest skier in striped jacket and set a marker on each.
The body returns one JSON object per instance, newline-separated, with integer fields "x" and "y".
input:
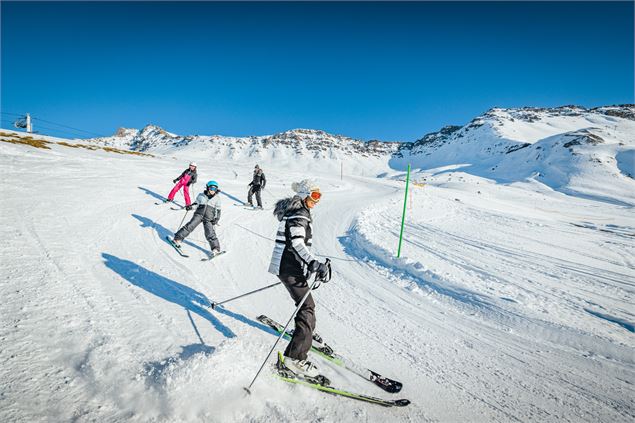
{"x": 305, "y": 319}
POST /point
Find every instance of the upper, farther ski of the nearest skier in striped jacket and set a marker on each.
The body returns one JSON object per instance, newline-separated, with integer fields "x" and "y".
{"x": 320, "y": 348}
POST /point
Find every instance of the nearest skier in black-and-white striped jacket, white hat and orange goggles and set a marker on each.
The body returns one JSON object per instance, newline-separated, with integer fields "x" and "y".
{"x": 290, "y": 261}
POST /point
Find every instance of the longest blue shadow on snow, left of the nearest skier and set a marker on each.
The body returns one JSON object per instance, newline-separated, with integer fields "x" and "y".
{"x": 165, "y": 288}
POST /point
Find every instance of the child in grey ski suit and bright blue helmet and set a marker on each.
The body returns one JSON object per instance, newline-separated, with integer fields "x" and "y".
{"x": 207, "y": 211}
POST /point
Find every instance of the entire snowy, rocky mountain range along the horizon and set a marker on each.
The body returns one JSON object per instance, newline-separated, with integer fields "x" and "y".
{"x": 567, "y": 148}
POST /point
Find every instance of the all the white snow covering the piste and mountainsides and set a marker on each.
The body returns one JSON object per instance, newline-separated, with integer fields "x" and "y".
{"x": 512, "y": 300}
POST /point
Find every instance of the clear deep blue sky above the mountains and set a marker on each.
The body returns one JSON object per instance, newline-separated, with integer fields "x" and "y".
{"x": 367, "y": 70}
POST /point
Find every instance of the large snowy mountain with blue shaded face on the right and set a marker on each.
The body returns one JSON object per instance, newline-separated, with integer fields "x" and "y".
{"x": 586, "y": 152}
